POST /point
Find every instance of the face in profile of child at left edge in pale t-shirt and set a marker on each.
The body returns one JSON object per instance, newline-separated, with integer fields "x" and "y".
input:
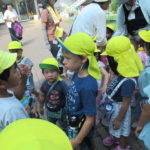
{"x": 14, "y": 77}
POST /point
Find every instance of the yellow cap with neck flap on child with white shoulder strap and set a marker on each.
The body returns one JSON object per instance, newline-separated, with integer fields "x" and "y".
{"x": 129, "y": 63}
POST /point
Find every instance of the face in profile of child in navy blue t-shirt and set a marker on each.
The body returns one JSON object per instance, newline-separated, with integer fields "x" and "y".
{"x": 72, "y": 62}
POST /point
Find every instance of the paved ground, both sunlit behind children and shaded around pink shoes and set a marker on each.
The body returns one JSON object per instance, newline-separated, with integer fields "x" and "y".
{"x": 34, "y": 48}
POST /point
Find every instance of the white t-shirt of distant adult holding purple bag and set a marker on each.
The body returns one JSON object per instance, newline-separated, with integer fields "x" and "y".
{"x": 10, "y": 15}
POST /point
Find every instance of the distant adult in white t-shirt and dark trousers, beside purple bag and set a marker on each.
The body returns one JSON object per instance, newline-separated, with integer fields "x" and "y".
{"x": 11, "y": 16}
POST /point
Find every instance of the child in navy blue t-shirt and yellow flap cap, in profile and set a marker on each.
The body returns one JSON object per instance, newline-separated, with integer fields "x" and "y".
{"x": 78, "y": 51}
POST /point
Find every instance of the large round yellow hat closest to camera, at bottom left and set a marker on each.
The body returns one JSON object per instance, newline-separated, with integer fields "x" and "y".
{"x": 33, "y": 134}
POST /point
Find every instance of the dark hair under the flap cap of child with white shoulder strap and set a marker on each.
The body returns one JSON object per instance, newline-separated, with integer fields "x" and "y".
{"x": 113, "y": 64}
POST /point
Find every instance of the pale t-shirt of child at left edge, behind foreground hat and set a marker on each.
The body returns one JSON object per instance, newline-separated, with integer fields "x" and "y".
{"x": 11, "y": 110}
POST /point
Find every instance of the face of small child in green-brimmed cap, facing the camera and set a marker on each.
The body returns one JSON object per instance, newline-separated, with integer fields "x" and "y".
{"x": 50, "y": 75}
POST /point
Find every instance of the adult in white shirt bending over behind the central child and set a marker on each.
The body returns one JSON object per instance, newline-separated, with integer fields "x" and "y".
{"x": 92, "y": 20}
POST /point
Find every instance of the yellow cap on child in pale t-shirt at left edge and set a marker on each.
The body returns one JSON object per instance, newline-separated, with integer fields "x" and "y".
{"x": 6, "y": 60}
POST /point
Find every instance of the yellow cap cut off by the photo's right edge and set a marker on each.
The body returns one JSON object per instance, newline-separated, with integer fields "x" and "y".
{"x": 145, "y": 35}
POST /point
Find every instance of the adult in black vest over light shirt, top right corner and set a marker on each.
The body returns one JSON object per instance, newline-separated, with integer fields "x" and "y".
{"x": 133, "y": 16}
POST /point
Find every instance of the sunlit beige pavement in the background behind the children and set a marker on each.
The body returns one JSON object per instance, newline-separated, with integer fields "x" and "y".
{"x": 33, "y": 45}
